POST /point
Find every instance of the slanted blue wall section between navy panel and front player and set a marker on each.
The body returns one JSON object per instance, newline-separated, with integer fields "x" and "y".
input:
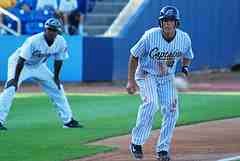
{"x": 143, "y": 19}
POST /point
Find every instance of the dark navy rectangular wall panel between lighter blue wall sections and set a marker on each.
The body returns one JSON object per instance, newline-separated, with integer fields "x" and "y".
{"x": 98, "y": 59}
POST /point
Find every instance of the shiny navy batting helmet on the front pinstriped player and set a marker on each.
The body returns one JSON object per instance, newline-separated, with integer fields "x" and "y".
{"x": 169, "y": 12}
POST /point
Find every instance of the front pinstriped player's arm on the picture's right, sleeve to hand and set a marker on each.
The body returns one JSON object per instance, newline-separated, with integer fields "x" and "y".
{"x": 187, "y": 57}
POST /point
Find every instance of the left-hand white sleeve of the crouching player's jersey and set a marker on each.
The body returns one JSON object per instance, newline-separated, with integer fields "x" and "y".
{"x": 26, "y": 49}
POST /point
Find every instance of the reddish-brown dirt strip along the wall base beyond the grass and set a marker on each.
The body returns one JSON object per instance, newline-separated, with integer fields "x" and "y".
{"x": 205, "y": 81}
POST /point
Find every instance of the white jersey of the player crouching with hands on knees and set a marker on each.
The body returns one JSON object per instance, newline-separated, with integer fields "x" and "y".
{"x": 36, "y": 50}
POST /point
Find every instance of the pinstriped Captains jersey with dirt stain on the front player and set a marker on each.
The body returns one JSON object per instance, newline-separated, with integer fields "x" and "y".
{"x": 159, "y": 57}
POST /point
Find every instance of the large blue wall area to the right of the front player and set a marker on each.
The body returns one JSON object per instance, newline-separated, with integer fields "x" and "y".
{"x": 214, "y": 28}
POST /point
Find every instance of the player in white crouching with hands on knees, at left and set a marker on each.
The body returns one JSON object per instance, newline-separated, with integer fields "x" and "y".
{"x": 29, "y": 61}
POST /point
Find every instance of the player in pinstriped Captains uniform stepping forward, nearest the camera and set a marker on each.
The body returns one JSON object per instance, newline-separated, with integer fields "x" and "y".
{"x": 152, "y": 65}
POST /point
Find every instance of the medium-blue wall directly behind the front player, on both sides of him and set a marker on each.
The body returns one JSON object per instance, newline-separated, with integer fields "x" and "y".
{"x": 213, "y": 26}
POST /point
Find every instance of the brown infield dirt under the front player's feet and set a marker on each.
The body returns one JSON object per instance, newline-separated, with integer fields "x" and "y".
{"x": 209, "y": 141}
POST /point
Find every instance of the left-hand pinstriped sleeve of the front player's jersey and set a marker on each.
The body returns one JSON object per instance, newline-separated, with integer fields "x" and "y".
{"x": 139, "y": 49}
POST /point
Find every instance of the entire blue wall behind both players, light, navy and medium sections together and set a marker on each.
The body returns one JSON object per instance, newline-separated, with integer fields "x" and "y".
{"x": 213, "y": 26}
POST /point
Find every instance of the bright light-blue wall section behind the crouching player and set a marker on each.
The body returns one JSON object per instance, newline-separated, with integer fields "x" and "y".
{"x": 72, "y": 68}
